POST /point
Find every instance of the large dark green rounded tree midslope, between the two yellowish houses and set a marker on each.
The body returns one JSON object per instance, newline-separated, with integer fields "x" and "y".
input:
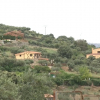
{"x": 65, "y": 51}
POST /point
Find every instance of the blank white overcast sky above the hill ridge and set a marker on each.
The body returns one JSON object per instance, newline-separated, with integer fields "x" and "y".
{"x": 77, "y": 18}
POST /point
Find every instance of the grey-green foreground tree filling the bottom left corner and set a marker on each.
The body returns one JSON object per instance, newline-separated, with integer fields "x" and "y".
{"x": 8, "y": 89}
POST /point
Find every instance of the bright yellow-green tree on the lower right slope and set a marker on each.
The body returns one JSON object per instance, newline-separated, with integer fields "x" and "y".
{"x": 84, "y": 72}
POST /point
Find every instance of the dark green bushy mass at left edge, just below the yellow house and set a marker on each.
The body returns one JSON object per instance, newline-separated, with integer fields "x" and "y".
{"x": 11, "y": 64}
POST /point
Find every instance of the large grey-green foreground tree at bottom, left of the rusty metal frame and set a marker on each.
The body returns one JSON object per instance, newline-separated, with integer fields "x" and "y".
{"x": 34, "y": 86}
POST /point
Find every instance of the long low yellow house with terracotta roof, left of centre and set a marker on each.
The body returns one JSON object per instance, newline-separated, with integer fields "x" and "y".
{"x": 28, "y": 55}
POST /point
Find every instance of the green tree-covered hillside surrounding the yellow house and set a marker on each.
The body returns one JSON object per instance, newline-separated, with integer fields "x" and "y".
{"x": 61, "y": 51}
